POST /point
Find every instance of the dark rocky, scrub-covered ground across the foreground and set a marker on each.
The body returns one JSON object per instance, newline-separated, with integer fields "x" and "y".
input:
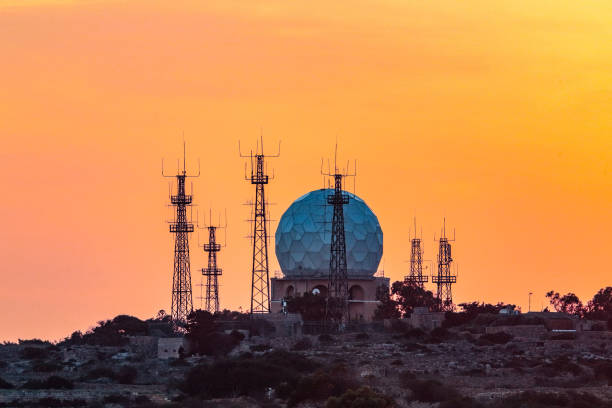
{"x": 408, "y": 367}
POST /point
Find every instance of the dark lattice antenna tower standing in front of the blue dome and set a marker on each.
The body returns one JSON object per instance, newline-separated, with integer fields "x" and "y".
{"x": 337, "y": 292}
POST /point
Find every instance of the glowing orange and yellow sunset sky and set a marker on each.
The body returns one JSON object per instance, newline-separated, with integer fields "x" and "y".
{"x": 495, "y": 114}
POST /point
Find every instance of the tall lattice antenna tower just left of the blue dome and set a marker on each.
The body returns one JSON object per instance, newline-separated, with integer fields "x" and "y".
{"x": 260, "y": 290}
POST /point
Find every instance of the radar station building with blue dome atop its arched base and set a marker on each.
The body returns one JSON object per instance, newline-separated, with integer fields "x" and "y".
{"x": 302, "y": 244}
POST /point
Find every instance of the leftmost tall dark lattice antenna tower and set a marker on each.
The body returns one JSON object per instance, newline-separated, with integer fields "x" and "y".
{"x": 182, "y": 301}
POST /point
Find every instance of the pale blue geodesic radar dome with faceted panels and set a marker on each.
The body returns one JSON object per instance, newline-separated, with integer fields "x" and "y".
{"x": 303, "y": 237}
